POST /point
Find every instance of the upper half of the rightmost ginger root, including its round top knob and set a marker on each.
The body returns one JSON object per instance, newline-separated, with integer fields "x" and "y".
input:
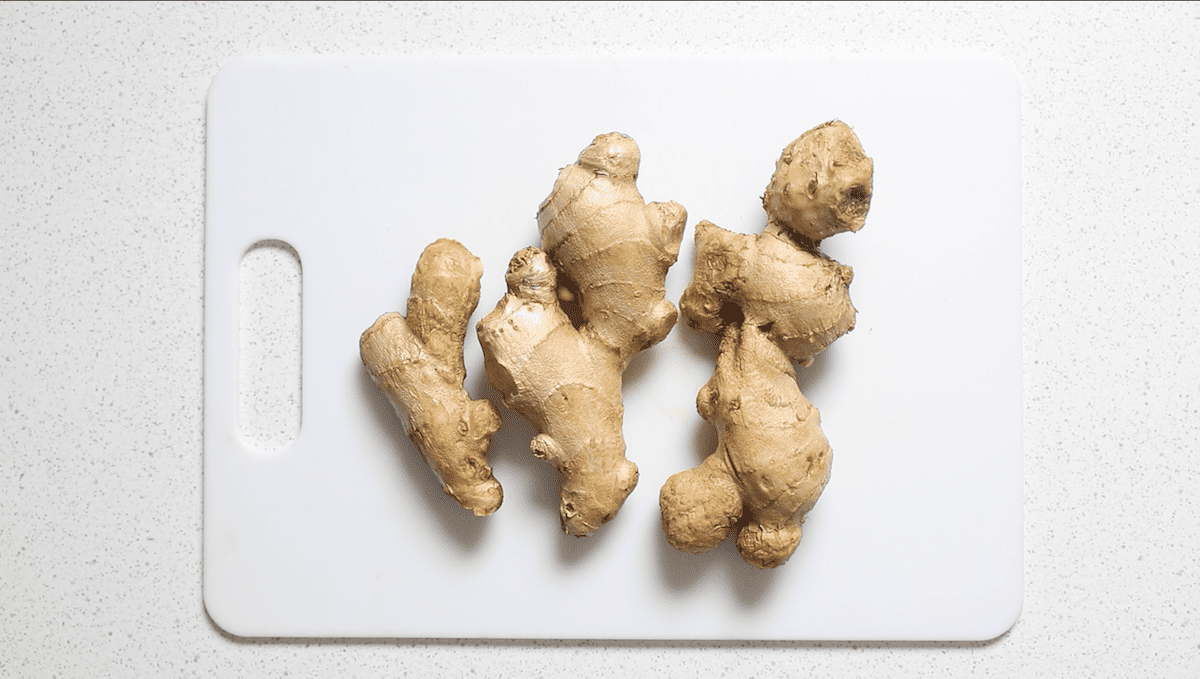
{"x": 779, "y": 280}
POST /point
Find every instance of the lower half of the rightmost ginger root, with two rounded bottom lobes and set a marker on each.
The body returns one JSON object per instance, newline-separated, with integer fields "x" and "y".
{"x": 771, "y": 459}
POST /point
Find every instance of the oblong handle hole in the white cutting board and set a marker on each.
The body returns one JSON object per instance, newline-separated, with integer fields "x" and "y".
{"x": 271, "y": 296}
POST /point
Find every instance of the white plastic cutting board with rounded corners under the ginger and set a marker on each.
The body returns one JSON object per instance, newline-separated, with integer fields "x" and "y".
{"x": 358, "y": 164}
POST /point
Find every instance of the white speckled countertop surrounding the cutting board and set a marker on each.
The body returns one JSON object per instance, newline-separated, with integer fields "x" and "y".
{"x": 101, "y": 215}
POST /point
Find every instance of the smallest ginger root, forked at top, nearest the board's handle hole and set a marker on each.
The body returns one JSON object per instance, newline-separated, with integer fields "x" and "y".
{"x": 417, "y": 362}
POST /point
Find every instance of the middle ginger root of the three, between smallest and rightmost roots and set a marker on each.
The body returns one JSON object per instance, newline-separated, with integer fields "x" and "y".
{"x": 605, "y": 245}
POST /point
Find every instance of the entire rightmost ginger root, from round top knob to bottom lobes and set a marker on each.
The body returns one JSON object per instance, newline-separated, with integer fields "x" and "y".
{"x": 773, "y": 298}
